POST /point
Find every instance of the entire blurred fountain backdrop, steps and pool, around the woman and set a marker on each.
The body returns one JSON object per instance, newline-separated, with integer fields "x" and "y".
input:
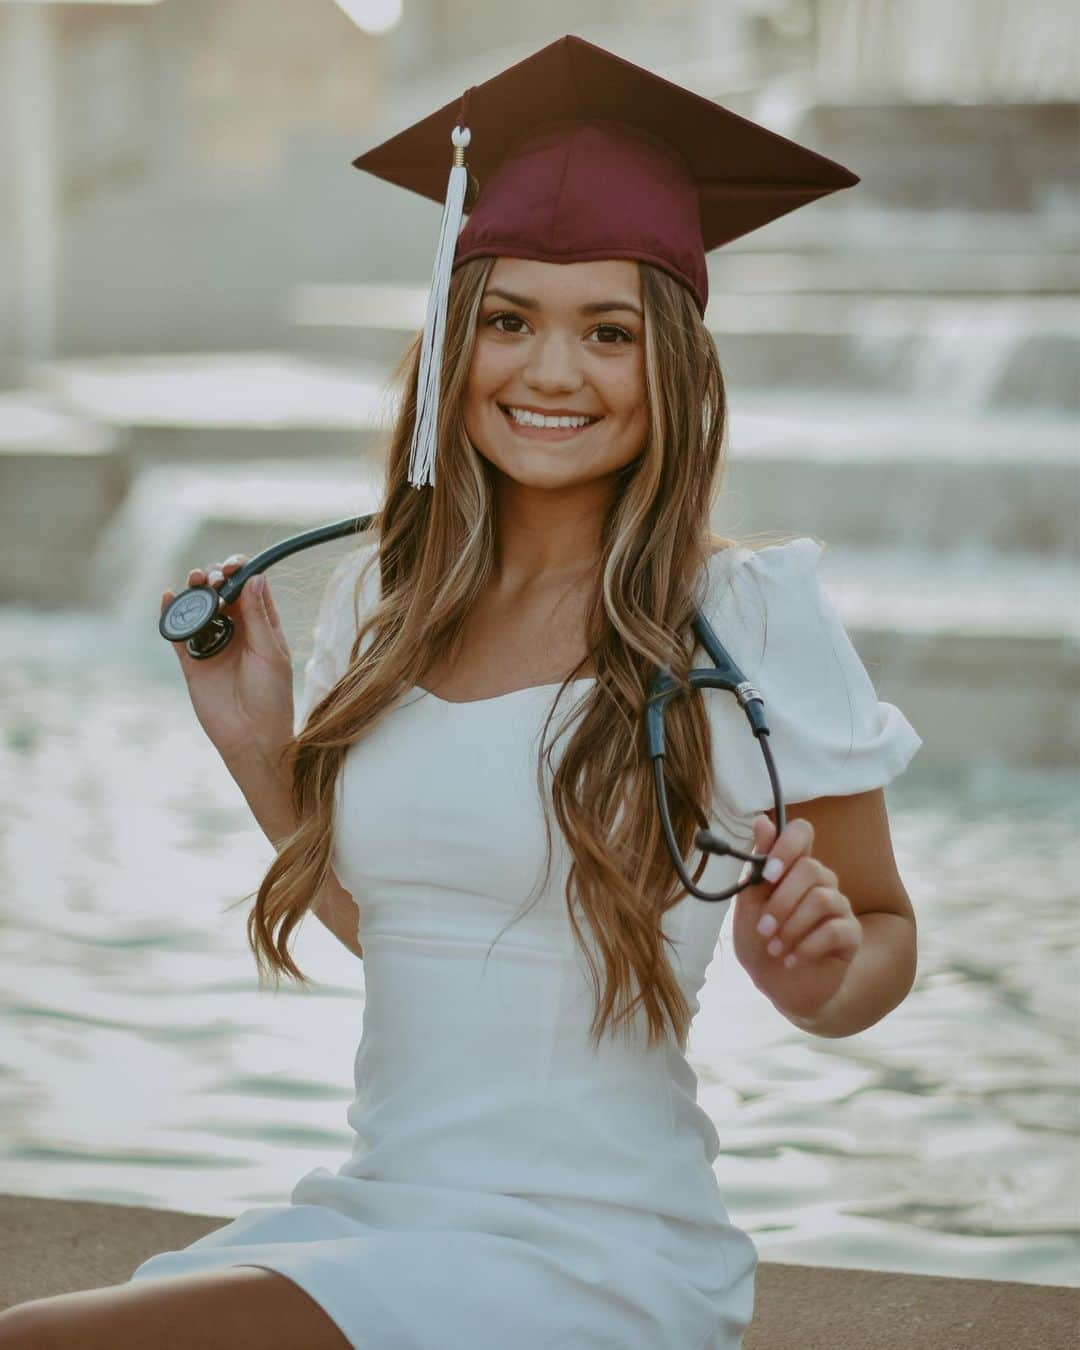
{"x": 200, "y": 303}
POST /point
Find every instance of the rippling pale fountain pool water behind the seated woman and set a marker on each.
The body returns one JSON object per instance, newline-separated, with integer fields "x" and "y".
{"x": 141, "y": 1064}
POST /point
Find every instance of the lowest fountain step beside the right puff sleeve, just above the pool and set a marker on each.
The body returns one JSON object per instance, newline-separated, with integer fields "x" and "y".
{"x": 982, "y": 653}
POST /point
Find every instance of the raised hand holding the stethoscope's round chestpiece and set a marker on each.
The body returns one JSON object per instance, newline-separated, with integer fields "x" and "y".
{"x": 244, "y": 696}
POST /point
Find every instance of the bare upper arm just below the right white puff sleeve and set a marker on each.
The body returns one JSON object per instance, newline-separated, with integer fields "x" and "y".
{"x": 854, "y": 840}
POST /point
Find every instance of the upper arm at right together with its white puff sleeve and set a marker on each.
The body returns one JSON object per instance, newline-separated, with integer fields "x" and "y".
{"x": 836, "y": 746}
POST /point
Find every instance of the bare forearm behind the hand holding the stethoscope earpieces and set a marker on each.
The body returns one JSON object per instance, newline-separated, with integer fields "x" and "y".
{"x": 880, "y": 978}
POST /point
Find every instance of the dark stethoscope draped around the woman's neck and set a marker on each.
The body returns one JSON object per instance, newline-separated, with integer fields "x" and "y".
{"x": 196, "y": 618}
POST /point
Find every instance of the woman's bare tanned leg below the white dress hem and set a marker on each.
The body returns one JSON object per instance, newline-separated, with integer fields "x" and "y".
{"x": 233, "y": 1309}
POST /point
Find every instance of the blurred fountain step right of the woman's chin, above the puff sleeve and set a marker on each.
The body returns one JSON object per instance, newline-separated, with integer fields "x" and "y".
{"x": 873, "y": 472}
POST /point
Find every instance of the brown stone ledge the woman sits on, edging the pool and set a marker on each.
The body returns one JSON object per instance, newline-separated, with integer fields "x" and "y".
{"x": 57, "y": 1247}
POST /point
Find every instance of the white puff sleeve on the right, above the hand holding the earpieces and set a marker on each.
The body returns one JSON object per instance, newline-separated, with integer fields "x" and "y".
{"x": 831, "y": 735}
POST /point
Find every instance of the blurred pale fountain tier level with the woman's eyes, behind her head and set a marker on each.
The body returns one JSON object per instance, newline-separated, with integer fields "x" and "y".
{"x": 963, "y": 350}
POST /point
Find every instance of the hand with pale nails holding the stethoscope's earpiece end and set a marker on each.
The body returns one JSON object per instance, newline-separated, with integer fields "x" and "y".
{"x": 813, "y": 923}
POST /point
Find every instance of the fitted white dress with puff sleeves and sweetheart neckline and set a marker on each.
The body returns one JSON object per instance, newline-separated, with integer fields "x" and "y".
{"x": 510, "y": 1186}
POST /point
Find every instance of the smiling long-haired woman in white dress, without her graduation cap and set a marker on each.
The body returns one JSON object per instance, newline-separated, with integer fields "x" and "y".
{"x": 466, "y": 803}
